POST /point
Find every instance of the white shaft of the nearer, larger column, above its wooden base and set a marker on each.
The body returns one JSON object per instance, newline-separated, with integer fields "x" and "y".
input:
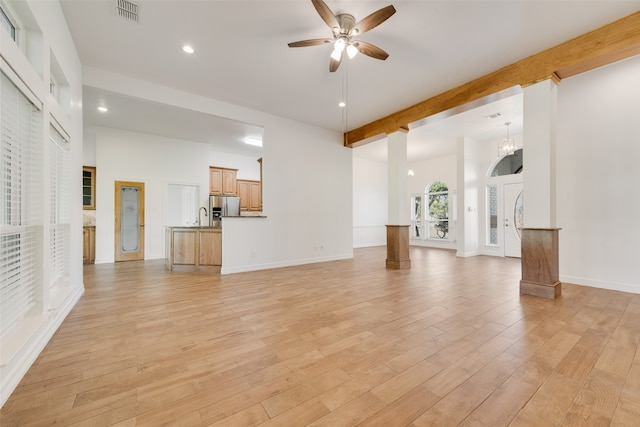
{"x": 539, "y": 154}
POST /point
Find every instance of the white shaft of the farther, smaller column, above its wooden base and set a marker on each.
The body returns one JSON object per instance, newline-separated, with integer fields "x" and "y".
{"x": 397, "y": 178}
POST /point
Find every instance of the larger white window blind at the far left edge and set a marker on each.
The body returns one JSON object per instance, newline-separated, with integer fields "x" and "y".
{"x": 20, "y": 198}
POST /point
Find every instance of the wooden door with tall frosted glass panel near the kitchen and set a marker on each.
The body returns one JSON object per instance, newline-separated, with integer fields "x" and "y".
{"x": 129, "y": 226}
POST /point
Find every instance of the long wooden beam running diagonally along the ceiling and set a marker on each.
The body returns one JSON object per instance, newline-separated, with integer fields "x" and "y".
{"x": 605, "y": 45}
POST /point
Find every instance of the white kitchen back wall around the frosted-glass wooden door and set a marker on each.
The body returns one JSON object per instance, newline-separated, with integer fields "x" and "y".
{"x": 155, "y": 161}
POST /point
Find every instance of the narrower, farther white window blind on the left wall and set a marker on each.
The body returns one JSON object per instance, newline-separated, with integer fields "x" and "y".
{"x": 59, "y": 218}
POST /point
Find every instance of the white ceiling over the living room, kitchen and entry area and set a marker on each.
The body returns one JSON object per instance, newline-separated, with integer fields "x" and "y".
{"x": 241, "y": 57}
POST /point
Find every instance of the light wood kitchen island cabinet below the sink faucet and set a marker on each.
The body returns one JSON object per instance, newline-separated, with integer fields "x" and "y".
{"x": 193, "y": 248}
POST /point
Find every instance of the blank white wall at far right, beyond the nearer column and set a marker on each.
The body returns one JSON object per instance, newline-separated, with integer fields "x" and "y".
{"x": 598, "y": 177}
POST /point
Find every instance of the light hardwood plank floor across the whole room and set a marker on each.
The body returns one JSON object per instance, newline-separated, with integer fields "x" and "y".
{"x": 343, "y": 343}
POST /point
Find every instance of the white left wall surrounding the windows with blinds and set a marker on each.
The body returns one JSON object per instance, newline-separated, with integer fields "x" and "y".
{"x": 19, "y": 351}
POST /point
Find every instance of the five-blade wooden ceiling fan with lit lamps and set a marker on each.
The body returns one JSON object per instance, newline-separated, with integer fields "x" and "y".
{"x": 344, "y": 29}
